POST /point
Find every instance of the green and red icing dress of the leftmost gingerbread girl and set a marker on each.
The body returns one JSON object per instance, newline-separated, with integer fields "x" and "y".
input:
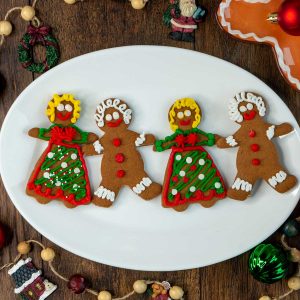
{"x": 61, "y": 172}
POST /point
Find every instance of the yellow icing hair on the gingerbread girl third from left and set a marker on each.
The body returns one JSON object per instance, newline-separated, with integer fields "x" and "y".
{"x": 184, "y": 102}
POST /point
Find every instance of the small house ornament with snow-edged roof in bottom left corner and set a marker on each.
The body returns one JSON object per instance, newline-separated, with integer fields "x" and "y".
{"x": 30, "y": 285}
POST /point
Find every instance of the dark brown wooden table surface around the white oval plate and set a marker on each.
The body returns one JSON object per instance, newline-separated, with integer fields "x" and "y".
{"x": 98, "y": 24}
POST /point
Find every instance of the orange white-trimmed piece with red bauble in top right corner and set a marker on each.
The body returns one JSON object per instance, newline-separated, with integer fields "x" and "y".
{"x": 254, "y": 21}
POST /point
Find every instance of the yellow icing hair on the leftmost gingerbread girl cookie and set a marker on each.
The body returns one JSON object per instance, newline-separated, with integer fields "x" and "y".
{"x": 53, "y": 103}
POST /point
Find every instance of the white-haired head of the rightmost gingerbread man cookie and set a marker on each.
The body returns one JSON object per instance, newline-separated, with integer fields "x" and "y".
{"x": 245, "y": 107}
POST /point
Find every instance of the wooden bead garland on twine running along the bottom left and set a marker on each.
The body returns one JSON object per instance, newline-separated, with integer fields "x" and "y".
{"x": 78, "y": 285}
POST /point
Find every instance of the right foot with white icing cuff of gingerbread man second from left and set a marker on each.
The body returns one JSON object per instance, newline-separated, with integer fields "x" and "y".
{"x": 145, "y": 188}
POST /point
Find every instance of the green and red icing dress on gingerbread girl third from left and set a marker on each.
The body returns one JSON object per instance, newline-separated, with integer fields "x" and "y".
{"x": 191, "y": 174}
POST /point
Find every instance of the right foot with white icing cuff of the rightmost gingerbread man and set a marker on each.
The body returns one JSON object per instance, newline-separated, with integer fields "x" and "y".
{"x": 280, "y": 180}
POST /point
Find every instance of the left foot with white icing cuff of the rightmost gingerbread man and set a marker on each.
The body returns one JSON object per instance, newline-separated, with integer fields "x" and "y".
{"x": 241, "y": 187}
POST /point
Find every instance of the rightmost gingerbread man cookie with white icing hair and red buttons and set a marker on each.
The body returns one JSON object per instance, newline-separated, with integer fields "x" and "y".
{"x": 257, "y": 156}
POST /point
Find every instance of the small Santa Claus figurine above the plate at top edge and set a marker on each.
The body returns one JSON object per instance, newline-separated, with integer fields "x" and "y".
{"x": 183, "y": 17}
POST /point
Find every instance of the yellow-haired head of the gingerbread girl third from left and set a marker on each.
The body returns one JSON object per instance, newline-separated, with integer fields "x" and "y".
{"x": 185, "y": 114}
